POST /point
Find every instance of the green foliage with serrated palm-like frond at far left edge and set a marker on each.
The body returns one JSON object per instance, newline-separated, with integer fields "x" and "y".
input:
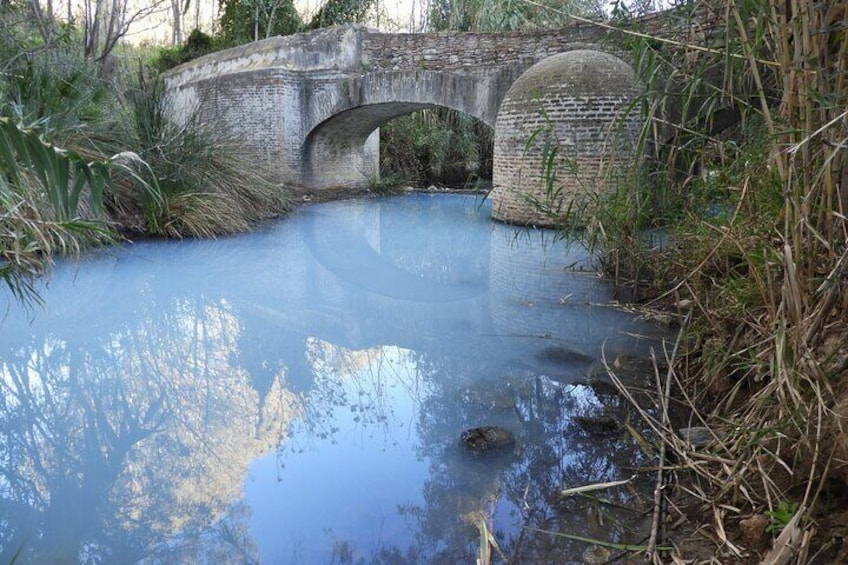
{"x": 51, "y": 197}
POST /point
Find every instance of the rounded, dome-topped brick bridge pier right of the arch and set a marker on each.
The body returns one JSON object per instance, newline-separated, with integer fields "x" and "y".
{"x": 561, "y": 137}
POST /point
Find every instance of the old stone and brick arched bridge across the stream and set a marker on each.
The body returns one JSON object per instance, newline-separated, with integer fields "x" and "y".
{"x": 309, "y": 105}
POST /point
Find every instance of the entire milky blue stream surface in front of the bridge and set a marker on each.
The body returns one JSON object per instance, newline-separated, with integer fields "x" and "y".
{"x": 296, "y": 395}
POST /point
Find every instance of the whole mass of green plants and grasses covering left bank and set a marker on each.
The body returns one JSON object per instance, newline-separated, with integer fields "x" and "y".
{"x": 78, "y": 154}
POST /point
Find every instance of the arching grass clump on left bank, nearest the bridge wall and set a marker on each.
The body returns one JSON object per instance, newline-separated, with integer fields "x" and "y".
{"x": 179, "y": 180}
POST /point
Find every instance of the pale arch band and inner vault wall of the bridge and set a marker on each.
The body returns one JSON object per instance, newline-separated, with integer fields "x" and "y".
{"x": 342, "y": 148}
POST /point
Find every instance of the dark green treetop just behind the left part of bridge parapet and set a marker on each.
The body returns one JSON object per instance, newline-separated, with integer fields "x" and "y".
{"x": 243, "y": 21}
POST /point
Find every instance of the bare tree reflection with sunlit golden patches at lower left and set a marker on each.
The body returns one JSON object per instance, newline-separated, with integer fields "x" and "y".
{"x": 111, "y": 444}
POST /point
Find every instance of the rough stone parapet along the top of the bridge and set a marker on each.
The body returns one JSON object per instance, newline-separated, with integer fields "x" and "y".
{"x": 356, "y": 48}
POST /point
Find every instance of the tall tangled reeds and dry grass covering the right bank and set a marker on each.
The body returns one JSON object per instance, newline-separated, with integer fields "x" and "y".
{"x": 746, "y": 130}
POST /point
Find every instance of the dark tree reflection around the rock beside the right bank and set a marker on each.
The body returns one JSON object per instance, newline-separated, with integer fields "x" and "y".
{"x": 516, "y": 493}
